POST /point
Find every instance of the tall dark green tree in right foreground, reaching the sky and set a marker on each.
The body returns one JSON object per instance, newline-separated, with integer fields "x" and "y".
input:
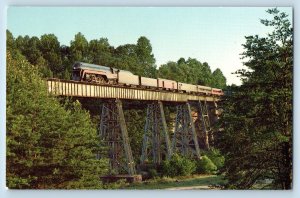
{"x": 257, "y": 121}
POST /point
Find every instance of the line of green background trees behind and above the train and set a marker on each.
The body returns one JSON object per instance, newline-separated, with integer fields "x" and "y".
{"x": 56, "y": 61}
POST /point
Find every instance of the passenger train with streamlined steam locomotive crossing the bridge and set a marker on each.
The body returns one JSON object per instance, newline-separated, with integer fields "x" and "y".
{"x": 108, "y": 75}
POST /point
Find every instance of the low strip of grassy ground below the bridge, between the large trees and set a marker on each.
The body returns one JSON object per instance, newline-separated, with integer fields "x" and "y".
{"x": 166, "y": 182}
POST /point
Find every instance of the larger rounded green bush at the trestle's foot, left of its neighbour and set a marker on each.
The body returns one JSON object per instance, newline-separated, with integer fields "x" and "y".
{"x": 178, "y": 166}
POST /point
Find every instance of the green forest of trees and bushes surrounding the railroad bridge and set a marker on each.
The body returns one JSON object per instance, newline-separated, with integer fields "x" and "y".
{"x": 52, "y": 142}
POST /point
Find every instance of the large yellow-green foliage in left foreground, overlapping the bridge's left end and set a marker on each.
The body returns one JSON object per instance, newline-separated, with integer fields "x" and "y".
{"x": 48, "y": 145}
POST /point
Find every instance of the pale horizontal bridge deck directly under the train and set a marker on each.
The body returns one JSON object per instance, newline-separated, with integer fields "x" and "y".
{"x": 81, "y": 89}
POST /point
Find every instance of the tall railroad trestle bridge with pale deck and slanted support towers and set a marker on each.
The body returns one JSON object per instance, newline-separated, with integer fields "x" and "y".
{"x": 194, "y": 117}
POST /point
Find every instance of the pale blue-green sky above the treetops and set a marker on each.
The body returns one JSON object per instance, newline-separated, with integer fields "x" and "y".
{"x": 210, "y": 34}
